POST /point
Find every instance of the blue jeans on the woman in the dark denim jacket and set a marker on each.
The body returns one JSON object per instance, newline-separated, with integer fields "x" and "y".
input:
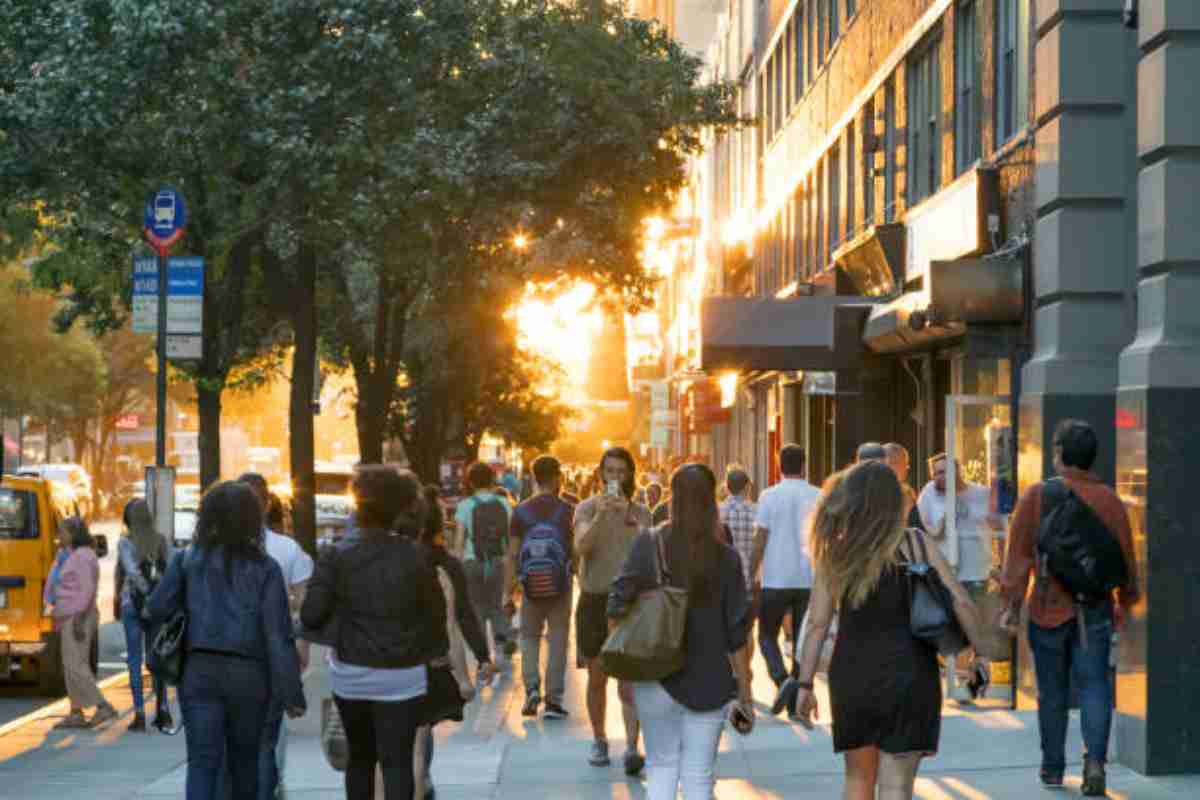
{"x": 226, "y": 702}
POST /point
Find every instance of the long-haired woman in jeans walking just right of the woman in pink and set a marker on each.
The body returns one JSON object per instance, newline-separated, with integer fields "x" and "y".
{"x": 142, "y": 558}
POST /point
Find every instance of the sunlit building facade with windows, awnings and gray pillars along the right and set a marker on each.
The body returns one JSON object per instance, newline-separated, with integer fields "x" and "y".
{"x": 956, "y": 224}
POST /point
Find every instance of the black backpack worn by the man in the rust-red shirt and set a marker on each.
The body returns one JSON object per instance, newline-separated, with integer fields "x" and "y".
{"x": 1076, "y": 546}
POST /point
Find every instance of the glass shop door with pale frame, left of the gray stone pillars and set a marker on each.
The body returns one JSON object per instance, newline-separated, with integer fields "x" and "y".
{"x": 981, "y": 494}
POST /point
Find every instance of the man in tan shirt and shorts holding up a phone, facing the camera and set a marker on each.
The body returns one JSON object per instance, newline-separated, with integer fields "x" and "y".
{"x": 605, "y": 528}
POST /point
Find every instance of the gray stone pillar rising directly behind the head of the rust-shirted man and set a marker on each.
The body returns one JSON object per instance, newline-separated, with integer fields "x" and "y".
{"x": 1087, "y": 220}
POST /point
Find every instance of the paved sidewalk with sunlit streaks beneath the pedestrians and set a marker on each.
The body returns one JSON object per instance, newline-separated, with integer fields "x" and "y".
{"x": 499, "y": 755}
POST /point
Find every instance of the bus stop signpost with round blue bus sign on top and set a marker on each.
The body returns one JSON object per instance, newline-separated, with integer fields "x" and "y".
{"x": 166, "y": 219}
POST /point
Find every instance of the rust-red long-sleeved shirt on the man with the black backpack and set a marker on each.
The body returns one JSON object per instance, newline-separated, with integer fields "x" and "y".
{"x": 1054, "y": 606}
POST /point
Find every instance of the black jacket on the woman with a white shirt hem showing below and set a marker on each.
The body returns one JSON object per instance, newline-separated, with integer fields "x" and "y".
{"x": 387, "y": 600}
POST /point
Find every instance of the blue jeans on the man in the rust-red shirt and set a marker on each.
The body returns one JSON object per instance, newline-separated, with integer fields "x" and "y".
{"x": 1059, "y": 655}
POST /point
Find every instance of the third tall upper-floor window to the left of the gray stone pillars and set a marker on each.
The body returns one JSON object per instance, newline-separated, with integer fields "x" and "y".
{"x": 925, "y": 129}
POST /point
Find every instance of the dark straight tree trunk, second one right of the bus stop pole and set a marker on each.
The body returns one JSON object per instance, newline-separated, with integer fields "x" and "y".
{"x": 301, "y": 413}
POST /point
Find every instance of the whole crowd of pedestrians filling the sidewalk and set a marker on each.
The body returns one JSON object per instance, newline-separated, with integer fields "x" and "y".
{"x": 403, "y": 598}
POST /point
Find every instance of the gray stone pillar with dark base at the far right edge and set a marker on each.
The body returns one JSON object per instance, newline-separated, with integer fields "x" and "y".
{"x": 1159, "y": 429}
